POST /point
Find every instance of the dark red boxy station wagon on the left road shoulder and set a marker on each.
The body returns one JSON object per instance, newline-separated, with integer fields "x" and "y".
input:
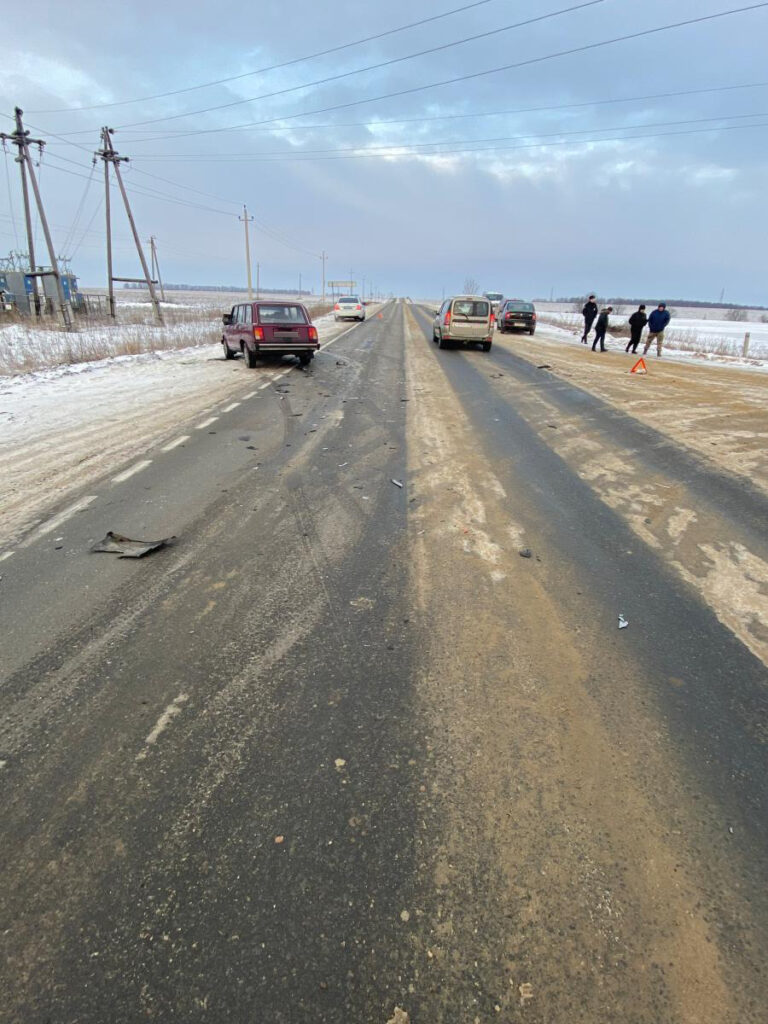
{"x": 268, "y": 328}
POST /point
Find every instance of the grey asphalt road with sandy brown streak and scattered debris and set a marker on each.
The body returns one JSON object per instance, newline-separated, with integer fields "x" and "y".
{"x": 340, "y": 750}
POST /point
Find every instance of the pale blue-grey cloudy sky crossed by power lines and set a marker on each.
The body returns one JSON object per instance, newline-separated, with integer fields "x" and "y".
{"x": 658, "y": 218}
